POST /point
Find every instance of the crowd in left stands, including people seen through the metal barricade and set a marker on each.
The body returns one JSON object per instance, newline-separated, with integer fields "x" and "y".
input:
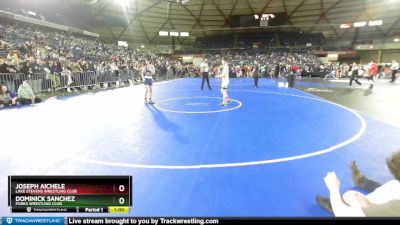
{"x": 27, "y": 50}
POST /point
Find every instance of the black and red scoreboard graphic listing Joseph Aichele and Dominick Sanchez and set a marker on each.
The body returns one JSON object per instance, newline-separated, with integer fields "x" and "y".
{"x": 58, "y": 194}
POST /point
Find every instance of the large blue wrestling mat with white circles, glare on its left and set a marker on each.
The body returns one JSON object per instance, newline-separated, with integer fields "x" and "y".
{"x": 263, "y": 155}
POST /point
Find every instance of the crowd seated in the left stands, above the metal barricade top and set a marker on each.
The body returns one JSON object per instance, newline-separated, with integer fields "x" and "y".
{"x": 58, "y": 50}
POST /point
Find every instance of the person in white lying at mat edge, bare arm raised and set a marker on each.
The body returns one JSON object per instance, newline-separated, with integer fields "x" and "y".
{"x": 384, "y": 200}
